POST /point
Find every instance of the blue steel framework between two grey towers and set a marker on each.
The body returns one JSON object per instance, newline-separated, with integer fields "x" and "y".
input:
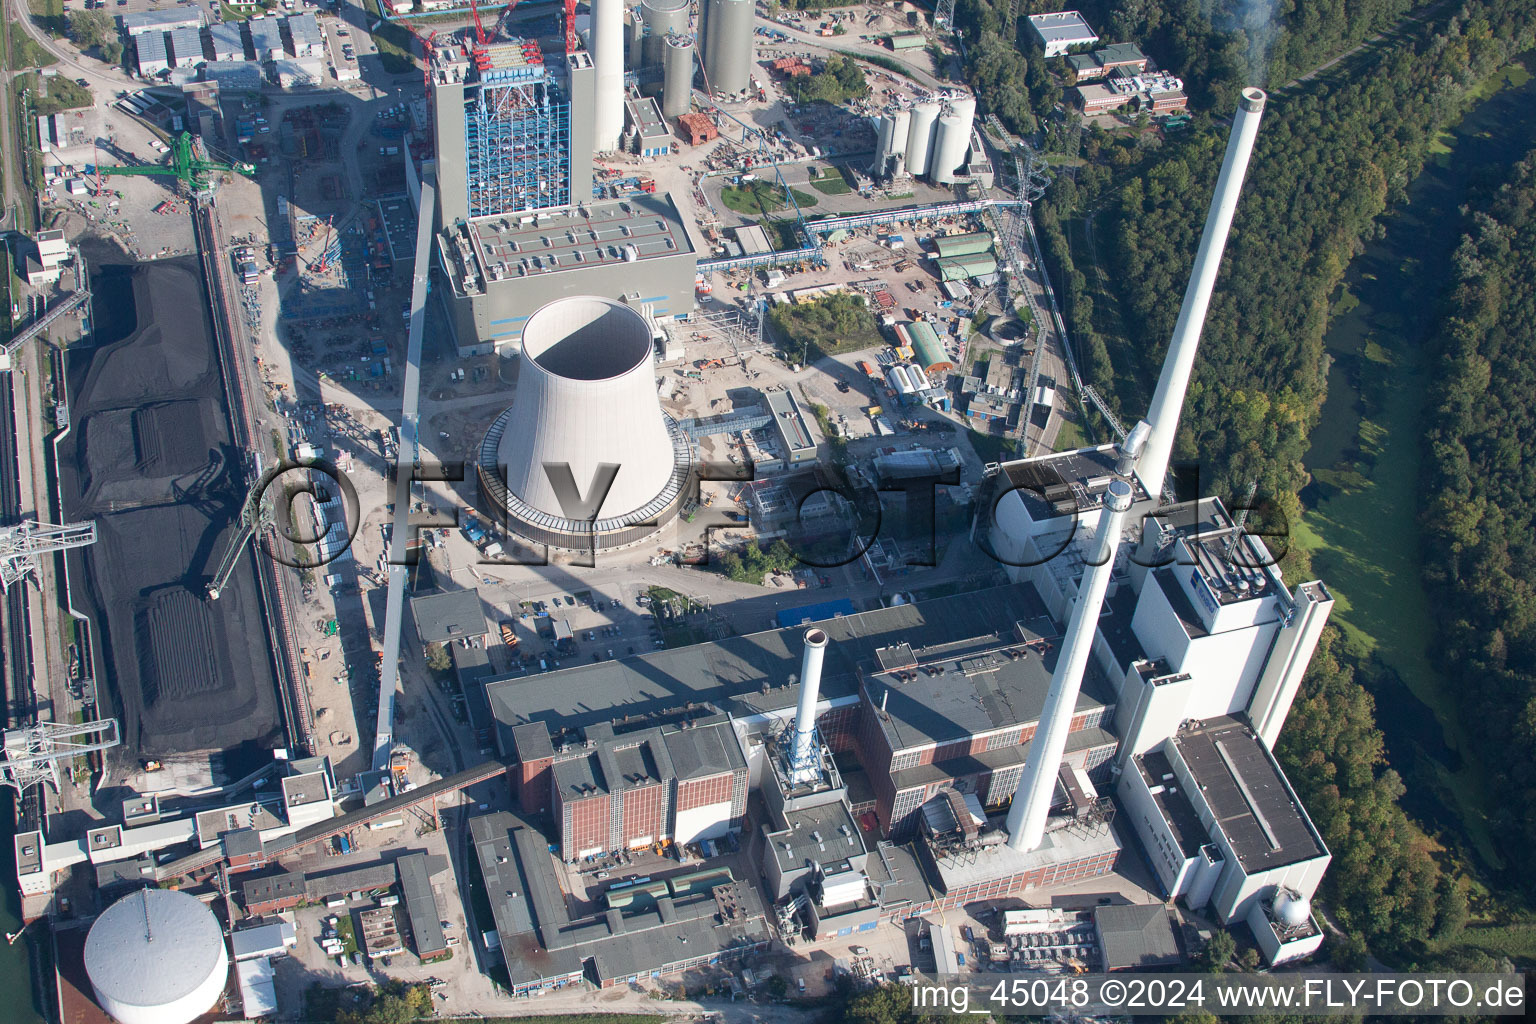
{"x": 517, "y": 144}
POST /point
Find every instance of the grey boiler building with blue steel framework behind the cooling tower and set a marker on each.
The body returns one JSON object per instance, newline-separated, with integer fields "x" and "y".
{"x": 518, "y": 222}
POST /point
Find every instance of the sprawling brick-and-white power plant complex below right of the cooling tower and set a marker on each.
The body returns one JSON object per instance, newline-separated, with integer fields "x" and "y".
{"x": 981, "y": 747}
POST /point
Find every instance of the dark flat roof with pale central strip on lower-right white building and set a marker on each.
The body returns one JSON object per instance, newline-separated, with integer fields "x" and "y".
{"x": 1250, "y": 796}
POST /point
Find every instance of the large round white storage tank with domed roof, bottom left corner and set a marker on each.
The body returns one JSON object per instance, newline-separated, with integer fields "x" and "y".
{"x": 157, "y": 957}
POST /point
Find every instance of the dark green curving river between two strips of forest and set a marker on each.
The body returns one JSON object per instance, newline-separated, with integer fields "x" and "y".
{"x": 1366, "y": 452}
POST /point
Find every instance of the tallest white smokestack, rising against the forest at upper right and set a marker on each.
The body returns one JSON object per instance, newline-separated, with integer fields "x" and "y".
{"x": 1168, "y": 401}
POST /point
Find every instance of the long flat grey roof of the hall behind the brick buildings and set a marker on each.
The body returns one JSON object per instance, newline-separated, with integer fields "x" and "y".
{"x": 752, "y": 673}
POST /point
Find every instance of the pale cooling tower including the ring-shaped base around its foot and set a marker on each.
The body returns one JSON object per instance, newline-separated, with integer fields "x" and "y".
{"x": 586, "y": 415}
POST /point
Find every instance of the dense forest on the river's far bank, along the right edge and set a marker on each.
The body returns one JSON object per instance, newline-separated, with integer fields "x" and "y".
{"x": 1481, "y": 481}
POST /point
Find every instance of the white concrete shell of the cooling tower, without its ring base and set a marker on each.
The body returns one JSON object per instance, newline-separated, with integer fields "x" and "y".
{"x": 588, "y": 398}
